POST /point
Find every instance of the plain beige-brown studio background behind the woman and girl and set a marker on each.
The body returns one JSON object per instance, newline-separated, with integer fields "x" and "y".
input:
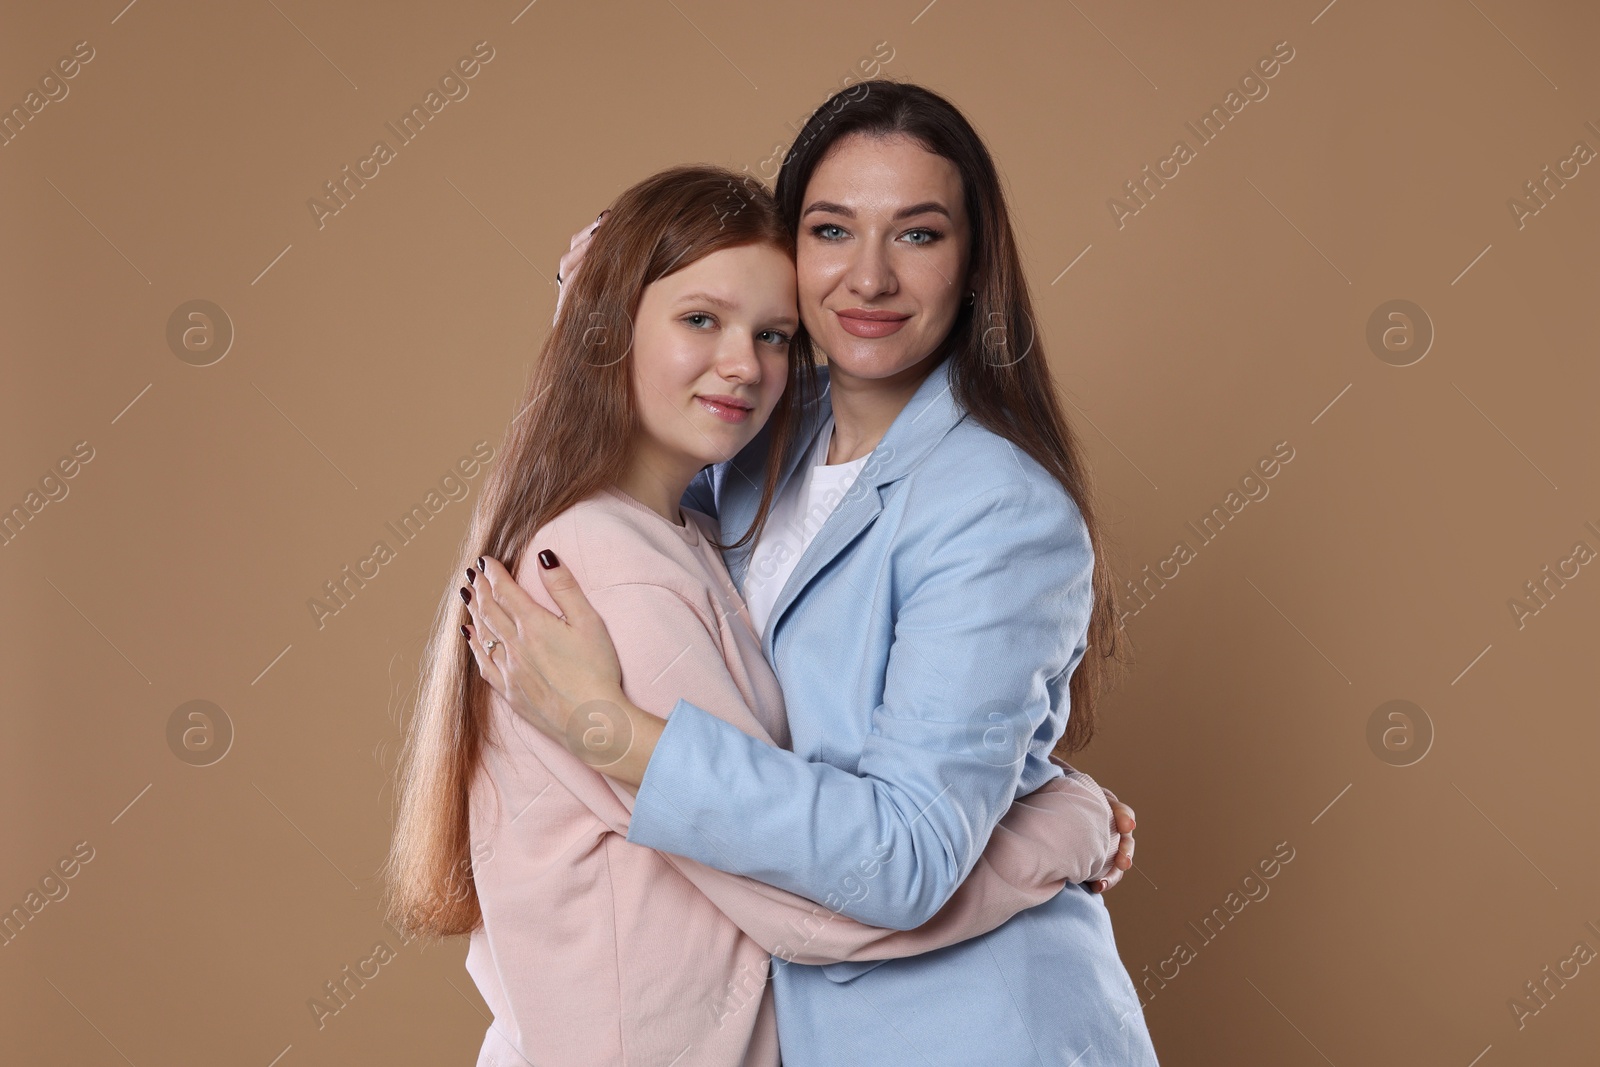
{"x": 1228, "y": 316}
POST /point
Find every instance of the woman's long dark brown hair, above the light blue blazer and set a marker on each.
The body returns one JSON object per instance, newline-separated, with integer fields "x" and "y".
{"x": 999, "y": 372}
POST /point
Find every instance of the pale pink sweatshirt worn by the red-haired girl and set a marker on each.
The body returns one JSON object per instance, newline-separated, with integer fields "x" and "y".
{"x": 601, "y": 953}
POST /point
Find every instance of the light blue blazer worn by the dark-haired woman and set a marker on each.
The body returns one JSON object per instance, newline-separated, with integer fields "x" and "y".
{"x": 924, "y": 644}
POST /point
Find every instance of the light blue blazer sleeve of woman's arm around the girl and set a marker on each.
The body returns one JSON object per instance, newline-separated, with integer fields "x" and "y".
{"x": 994, "y": 621}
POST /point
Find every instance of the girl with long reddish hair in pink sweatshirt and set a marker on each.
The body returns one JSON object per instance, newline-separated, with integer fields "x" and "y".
{"x": 671, "y": 356}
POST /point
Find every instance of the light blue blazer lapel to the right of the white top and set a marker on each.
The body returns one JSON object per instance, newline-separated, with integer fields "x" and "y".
{"x": 922, "y": 423}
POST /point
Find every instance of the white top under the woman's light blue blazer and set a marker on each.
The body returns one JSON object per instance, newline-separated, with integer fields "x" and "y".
{"x": 799, "y": 513}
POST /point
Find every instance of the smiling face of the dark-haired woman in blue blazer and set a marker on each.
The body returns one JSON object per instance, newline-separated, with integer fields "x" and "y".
{"x": 884, "y": 254}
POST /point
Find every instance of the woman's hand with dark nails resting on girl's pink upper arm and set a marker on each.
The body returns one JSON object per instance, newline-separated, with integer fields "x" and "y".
{"x": 546, "y": 666}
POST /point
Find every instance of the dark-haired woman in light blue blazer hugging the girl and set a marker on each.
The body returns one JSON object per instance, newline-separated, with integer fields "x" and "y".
{"x": 950, "y": 597}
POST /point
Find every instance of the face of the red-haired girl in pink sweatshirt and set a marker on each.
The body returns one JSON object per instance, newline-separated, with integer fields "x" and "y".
{"x": 711, "y": 358}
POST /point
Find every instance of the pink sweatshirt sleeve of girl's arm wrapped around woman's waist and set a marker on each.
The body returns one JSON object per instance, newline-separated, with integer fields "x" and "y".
{"x": 1058, "y": 834}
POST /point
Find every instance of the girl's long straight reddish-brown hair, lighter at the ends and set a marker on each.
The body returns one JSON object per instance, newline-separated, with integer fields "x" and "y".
{"x": 570, "y": 439}
